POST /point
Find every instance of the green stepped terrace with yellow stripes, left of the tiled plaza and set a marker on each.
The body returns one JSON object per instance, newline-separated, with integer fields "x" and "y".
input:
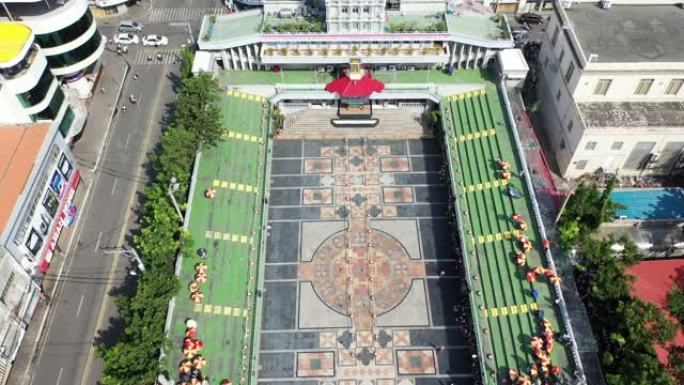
{"x": 229, "y": 228}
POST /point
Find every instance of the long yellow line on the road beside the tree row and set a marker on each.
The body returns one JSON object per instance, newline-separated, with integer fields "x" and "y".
{"x": 112, "y": 270}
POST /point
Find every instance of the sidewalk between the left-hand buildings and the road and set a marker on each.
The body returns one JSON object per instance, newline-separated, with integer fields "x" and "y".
{"x": 87, "y": 151}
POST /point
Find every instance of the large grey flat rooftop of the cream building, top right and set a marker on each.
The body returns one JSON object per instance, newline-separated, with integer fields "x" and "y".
{"x": 629, "y": 33}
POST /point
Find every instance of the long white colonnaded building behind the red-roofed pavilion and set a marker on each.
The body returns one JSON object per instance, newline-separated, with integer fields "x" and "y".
{"x": 291, "y": 34}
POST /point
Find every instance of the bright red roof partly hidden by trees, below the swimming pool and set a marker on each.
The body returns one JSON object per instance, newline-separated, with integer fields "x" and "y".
{"x": 654, "y": 279}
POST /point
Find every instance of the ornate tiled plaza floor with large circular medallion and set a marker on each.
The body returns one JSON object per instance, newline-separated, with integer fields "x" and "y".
{"x": 360, "y": 281}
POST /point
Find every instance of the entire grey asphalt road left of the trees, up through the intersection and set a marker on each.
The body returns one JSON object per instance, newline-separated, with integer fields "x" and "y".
{"x": 83, "y": 304}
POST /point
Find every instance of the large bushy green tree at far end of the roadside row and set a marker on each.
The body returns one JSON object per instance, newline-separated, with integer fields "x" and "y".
{"x": 197, "y": 110}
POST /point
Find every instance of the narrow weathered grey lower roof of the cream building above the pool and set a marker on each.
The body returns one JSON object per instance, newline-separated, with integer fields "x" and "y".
{"x": 632, "y": 114}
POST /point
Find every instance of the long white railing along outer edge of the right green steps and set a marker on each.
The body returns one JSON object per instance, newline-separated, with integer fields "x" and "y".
{"x": 542, "y": 231}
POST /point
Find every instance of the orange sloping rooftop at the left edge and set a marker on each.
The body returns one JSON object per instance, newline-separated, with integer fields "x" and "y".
{"x": 22, "y": 144}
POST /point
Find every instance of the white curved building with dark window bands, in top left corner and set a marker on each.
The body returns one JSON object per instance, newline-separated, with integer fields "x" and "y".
{"x": 67, "y": 33}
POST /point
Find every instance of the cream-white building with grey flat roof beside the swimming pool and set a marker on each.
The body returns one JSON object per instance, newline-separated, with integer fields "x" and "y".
{"x": 611, "y": 88}
